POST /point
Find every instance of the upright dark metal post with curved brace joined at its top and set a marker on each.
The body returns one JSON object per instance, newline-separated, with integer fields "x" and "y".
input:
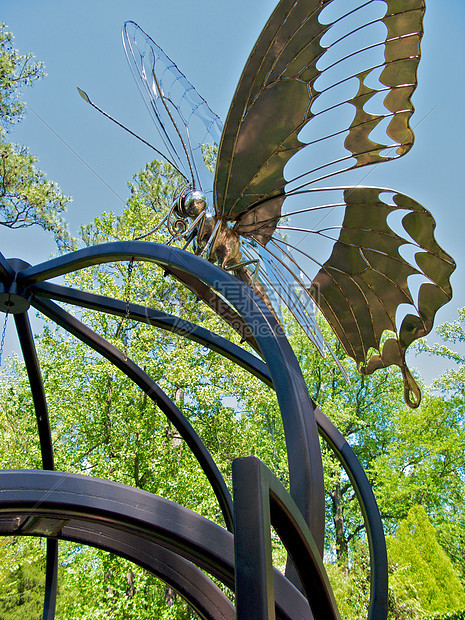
{"x": 260, "y": 500}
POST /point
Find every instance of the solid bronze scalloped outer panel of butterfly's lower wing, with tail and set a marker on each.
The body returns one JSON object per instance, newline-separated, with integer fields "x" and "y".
{"x": 363, "y": 282}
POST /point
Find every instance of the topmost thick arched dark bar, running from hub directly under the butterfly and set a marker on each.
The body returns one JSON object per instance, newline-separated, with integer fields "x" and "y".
{"x": 304, "y": 457}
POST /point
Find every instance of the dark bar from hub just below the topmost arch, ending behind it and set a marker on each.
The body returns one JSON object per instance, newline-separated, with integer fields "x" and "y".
{"x": 157, "y": 318}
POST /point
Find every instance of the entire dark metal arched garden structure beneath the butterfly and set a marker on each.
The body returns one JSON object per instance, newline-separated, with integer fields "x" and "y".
{"x": 165, "y": 538}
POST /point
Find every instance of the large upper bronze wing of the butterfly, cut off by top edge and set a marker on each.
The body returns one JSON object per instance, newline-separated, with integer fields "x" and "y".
{"x": 350, "y": 68}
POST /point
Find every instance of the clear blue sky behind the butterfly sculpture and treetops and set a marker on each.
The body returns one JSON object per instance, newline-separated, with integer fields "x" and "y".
{"x": 91, "y": 160}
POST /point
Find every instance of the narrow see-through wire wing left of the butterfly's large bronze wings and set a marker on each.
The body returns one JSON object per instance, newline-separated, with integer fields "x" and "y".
{"x": 186, "y": 124}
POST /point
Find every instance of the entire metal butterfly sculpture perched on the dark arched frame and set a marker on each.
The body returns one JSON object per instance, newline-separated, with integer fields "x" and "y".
{"x": 322, "y": 78}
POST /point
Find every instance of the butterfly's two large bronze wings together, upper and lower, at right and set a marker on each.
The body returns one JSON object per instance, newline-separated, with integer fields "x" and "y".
{"x": 328, "y": 78}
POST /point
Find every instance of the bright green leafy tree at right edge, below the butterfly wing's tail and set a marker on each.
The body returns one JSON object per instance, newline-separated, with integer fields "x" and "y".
{"x": 423, "y": 463}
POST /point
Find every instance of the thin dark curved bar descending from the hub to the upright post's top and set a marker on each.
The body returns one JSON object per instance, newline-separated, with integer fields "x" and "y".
{"x": 153, "y": 391}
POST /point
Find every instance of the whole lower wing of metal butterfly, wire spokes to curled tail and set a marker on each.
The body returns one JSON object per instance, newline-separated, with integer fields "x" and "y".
{"x": 384, "y": 280}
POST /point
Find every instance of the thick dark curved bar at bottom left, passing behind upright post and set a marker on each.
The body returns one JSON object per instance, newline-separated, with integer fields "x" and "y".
{"x": 82, "y": 509}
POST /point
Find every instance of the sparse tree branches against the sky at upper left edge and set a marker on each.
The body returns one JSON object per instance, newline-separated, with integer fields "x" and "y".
{"x": 27, "y": 197}
